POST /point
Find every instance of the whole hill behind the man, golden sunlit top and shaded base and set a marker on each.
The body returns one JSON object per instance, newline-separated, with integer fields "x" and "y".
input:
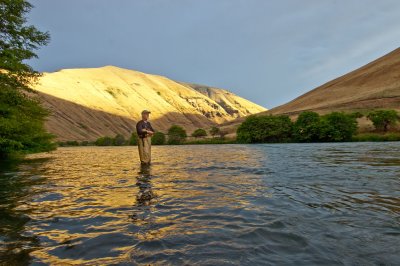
{"x": 119, "y": 95}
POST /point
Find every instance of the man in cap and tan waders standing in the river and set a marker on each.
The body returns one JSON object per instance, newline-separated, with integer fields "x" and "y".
{"x": 145, "y": 131}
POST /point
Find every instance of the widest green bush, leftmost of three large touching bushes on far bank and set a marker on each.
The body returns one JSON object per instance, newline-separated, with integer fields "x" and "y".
{"x": 265, "y": 128}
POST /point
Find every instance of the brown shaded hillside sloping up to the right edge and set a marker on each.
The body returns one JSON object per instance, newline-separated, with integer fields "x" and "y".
{"x": 375, "y": 85}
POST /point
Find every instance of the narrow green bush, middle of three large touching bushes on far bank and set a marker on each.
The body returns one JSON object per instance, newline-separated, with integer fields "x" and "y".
{"x": 307, "y": 127}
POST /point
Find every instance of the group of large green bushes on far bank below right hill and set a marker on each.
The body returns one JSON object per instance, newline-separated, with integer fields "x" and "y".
{"x": 312, "y": 127}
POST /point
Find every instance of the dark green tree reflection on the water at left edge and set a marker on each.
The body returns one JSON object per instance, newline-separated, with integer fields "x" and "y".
{"x": 17, "y": 186}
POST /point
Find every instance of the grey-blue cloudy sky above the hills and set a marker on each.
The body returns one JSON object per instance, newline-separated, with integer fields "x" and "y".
{"x": 267, "y": 51}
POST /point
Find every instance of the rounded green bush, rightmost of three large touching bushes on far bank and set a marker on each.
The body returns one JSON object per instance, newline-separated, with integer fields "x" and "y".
{"x": 337, "y": 127}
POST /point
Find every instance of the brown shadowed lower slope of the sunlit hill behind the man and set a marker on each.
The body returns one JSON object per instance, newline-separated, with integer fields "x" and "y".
{"x": 71, "y": 121}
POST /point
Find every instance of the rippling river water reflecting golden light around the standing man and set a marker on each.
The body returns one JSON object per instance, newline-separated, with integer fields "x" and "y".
{"x": 293, "y": 204}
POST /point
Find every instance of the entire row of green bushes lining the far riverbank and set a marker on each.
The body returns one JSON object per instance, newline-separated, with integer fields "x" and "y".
{"x": 308, "y": 127}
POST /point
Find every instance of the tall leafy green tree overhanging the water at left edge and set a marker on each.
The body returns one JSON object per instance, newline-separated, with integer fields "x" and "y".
{"x": 21, "y": 115}
